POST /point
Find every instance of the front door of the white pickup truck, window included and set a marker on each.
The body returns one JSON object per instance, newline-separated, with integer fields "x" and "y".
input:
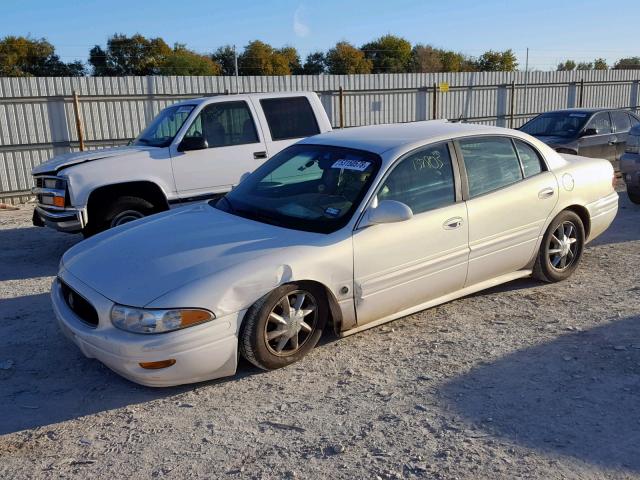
{"x": 234, "y": 147}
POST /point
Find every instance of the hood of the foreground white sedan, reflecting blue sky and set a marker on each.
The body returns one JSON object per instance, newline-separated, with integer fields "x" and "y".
{"x": 137, "y": 263}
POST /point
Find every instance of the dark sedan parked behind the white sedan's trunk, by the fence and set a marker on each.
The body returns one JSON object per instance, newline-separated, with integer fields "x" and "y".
{"x": 589, "y": 132}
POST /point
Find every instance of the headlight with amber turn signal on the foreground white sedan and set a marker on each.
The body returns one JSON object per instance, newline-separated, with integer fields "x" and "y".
{"x": 141, "y": 320}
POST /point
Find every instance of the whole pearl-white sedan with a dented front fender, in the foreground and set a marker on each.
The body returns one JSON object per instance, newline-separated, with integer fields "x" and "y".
{"x": 345, "y": 230}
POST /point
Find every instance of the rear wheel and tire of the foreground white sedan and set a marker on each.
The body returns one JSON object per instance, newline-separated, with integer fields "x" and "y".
{"x": 559, "y": 256}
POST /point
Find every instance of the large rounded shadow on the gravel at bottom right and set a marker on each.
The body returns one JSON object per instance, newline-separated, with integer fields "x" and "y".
{"x": 576, "y": 395}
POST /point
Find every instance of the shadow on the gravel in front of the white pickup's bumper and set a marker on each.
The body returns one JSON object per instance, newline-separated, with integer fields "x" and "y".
{"x": 31, "y": 252}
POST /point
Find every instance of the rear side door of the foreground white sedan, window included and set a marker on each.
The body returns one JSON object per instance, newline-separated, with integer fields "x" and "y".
{"x": 509, "y": 198}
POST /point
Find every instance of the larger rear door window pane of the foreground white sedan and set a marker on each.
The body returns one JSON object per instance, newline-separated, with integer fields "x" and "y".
{"x": 491, "y": 163}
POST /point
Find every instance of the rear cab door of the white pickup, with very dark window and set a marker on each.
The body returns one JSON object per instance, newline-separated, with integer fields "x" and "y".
{"x": 287, "y": 120}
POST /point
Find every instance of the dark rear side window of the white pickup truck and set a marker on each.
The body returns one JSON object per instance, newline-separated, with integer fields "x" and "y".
{"x": 289, "y": 117}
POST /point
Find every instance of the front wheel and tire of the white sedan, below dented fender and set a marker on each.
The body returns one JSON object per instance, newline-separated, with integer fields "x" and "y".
{"x": 265, "y": 339}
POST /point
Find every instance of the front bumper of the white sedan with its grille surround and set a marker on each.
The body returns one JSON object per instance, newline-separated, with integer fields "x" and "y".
{"x": 203, "y": 352}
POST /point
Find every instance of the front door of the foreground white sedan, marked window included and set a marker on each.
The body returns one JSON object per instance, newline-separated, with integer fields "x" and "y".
{"x": 404, "y": 264}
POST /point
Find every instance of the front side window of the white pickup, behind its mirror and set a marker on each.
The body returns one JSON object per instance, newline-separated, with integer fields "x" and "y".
{"x": 225, "y": 124}
